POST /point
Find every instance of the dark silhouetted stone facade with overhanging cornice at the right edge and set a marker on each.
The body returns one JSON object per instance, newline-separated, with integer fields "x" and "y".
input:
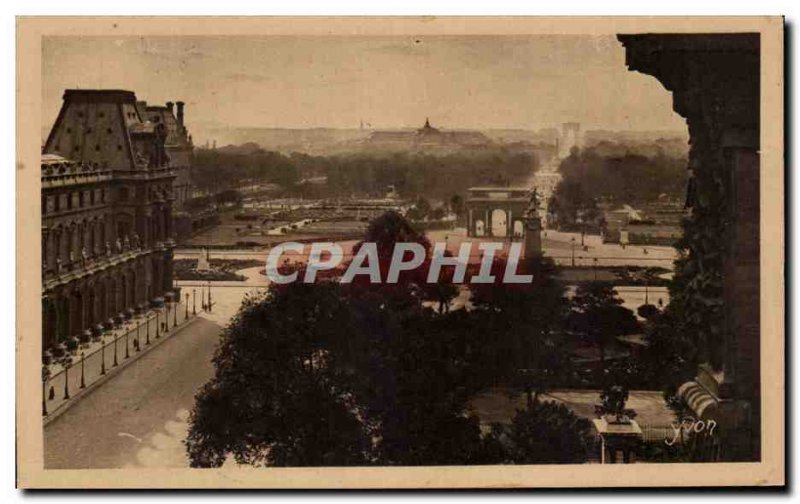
{"x": 715, "y": 82}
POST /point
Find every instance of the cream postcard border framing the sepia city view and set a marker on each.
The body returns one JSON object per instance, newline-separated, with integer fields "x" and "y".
{"x": 30, "y": 470}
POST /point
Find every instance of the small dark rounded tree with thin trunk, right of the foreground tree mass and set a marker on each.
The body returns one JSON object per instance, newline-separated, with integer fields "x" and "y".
{"x": 599, "y": 317}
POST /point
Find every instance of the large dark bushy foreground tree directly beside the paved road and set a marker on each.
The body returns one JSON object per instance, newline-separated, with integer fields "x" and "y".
{"x": 276, "y": 397}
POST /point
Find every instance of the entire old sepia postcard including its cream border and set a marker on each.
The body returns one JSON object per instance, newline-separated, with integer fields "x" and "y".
{"x": 400, "y": 252}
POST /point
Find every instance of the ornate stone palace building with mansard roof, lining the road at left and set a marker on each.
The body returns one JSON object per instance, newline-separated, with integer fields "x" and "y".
{"x": 107, "y": 199}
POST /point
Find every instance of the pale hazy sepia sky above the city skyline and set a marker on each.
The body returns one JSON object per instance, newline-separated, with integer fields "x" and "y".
{"x": 300, "y": 82}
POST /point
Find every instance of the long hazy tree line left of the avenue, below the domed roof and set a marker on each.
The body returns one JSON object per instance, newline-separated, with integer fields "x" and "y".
{"x": 410, "y": 174}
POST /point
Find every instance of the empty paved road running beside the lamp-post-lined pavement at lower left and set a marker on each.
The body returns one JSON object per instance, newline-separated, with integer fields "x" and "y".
{"x": 137, "y": 418}
